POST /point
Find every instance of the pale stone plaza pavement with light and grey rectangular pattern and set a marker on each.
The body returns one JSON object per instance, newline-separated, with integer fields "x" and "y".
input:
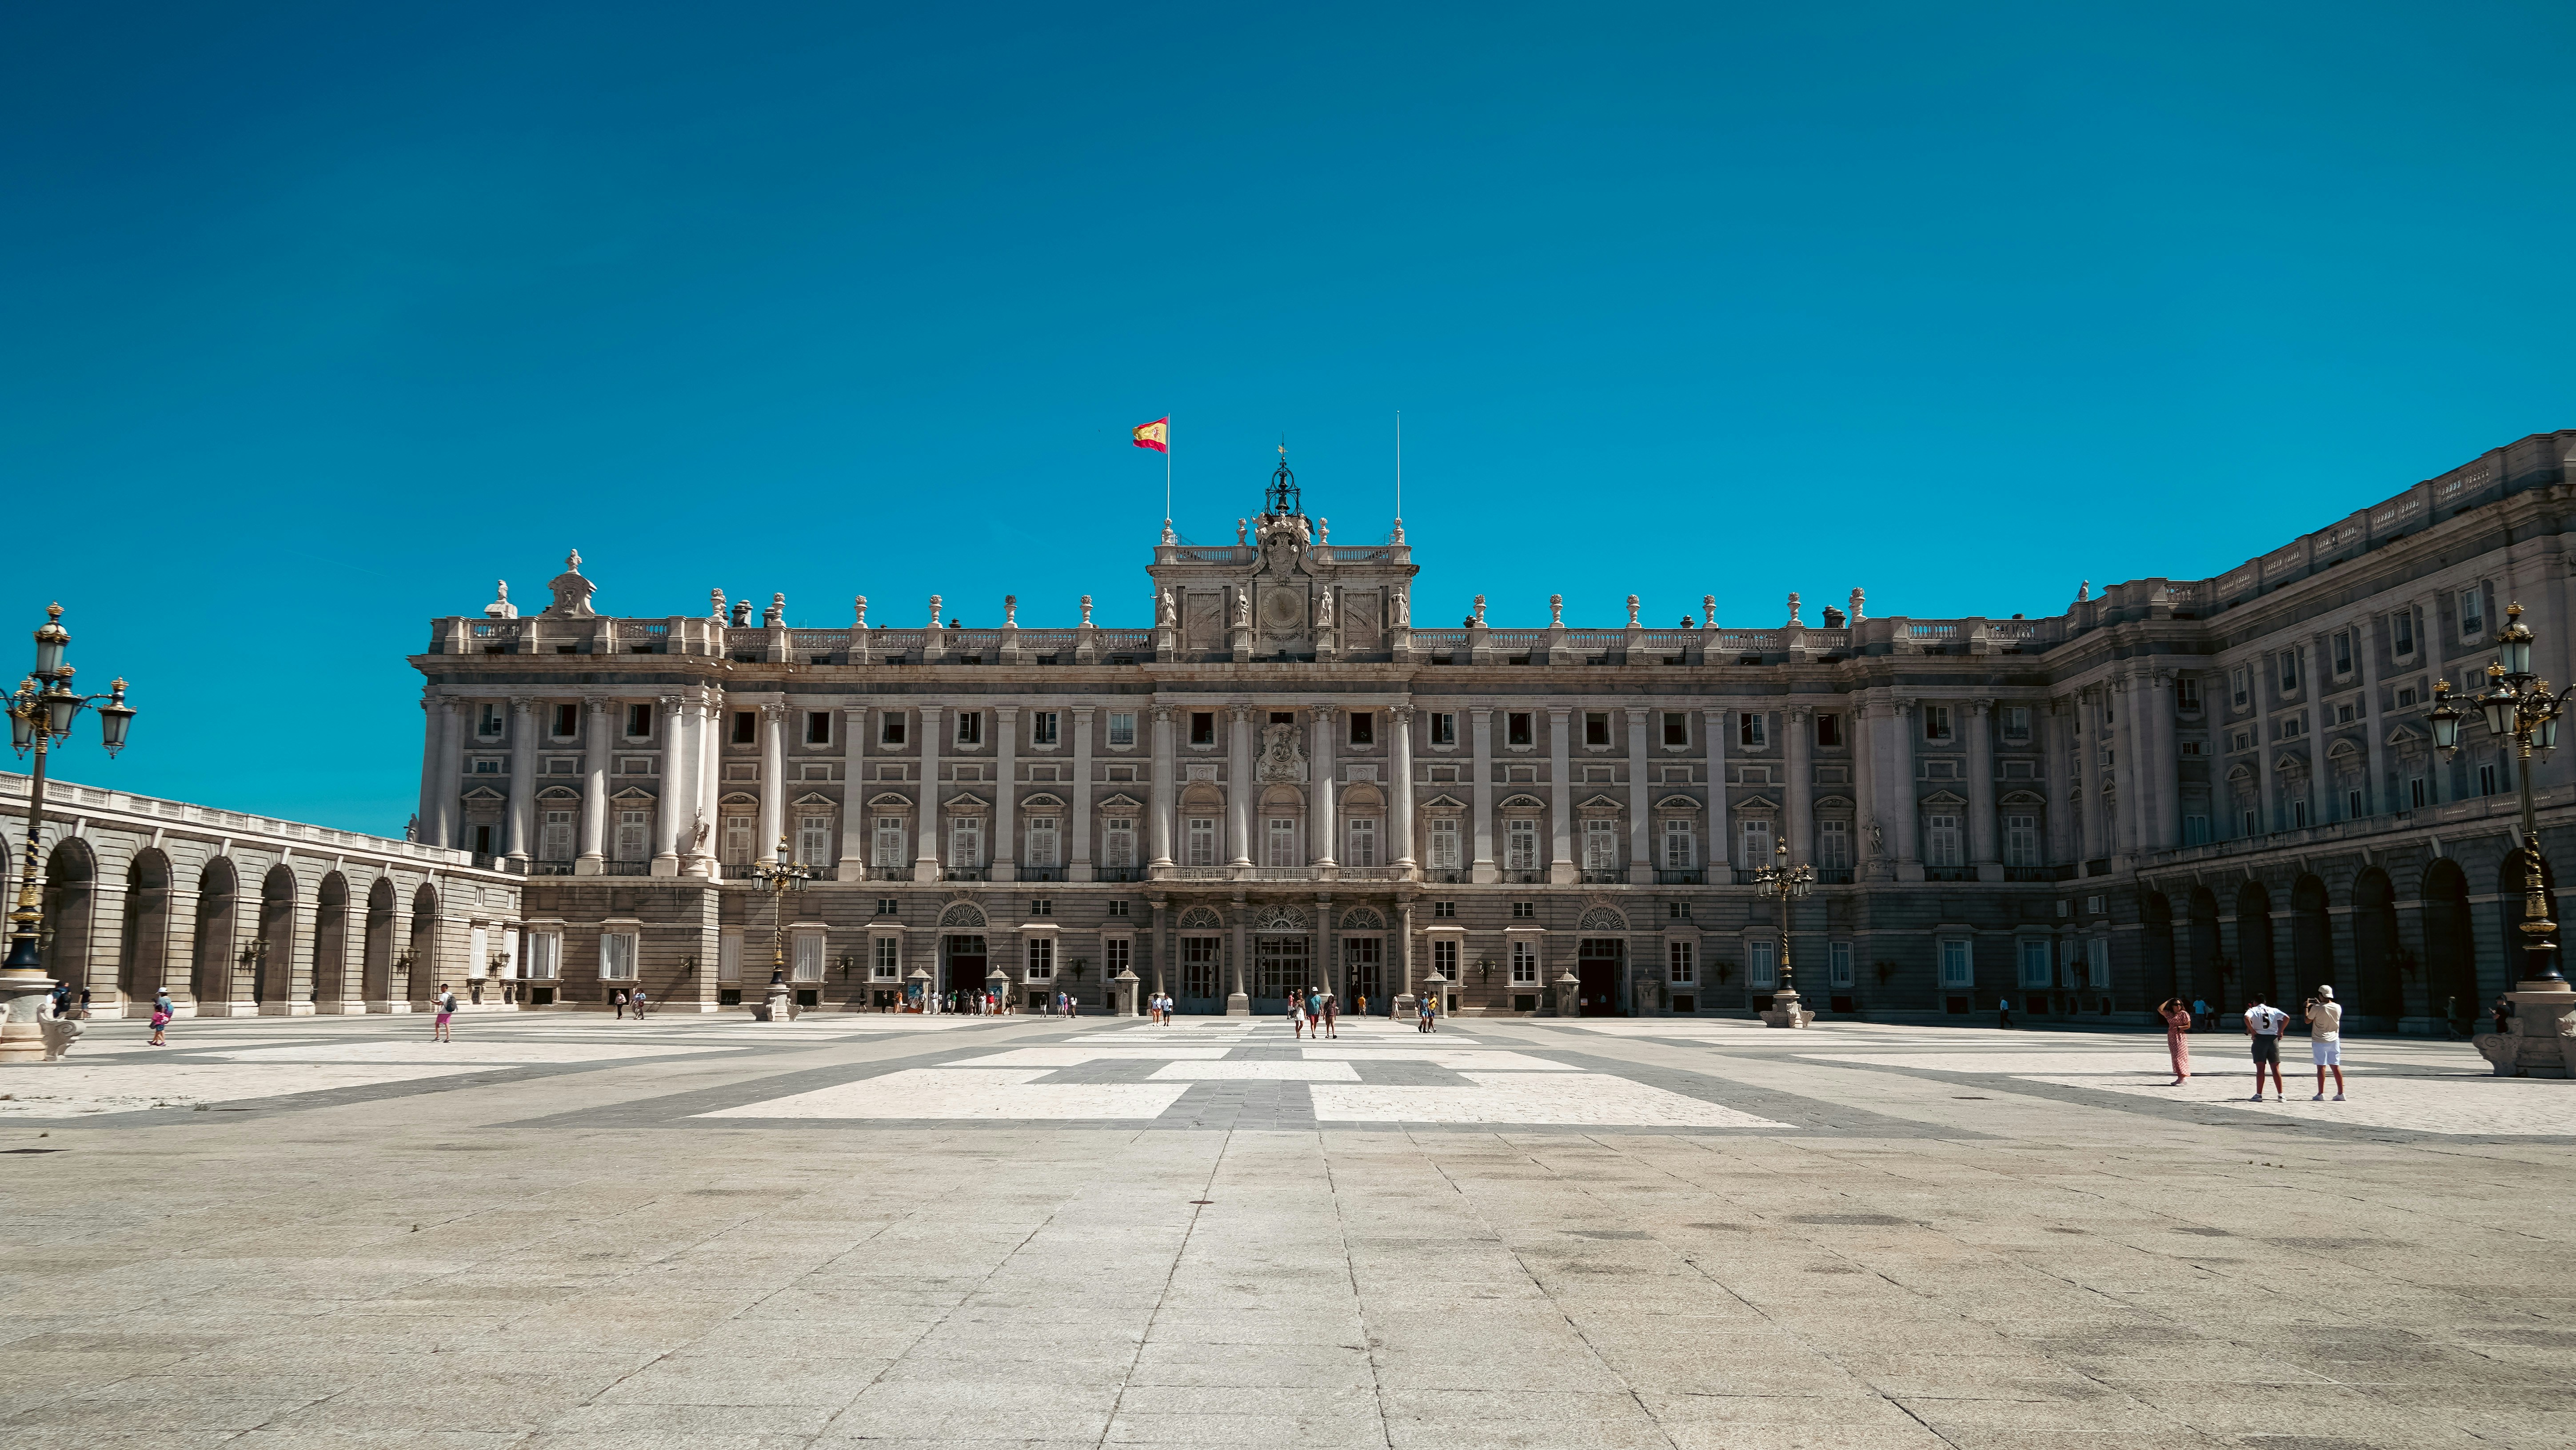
{"x": 576, "y": 1232}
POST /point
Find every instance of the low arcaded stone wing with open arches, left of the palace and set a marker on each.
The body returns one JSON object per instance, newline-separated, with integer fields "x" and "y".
{"x": 243, "y": 916}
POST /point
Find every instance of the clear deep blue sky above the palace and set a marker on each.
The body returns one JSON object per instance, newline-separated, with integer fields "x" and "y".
{"x": 321, "y": 318}
